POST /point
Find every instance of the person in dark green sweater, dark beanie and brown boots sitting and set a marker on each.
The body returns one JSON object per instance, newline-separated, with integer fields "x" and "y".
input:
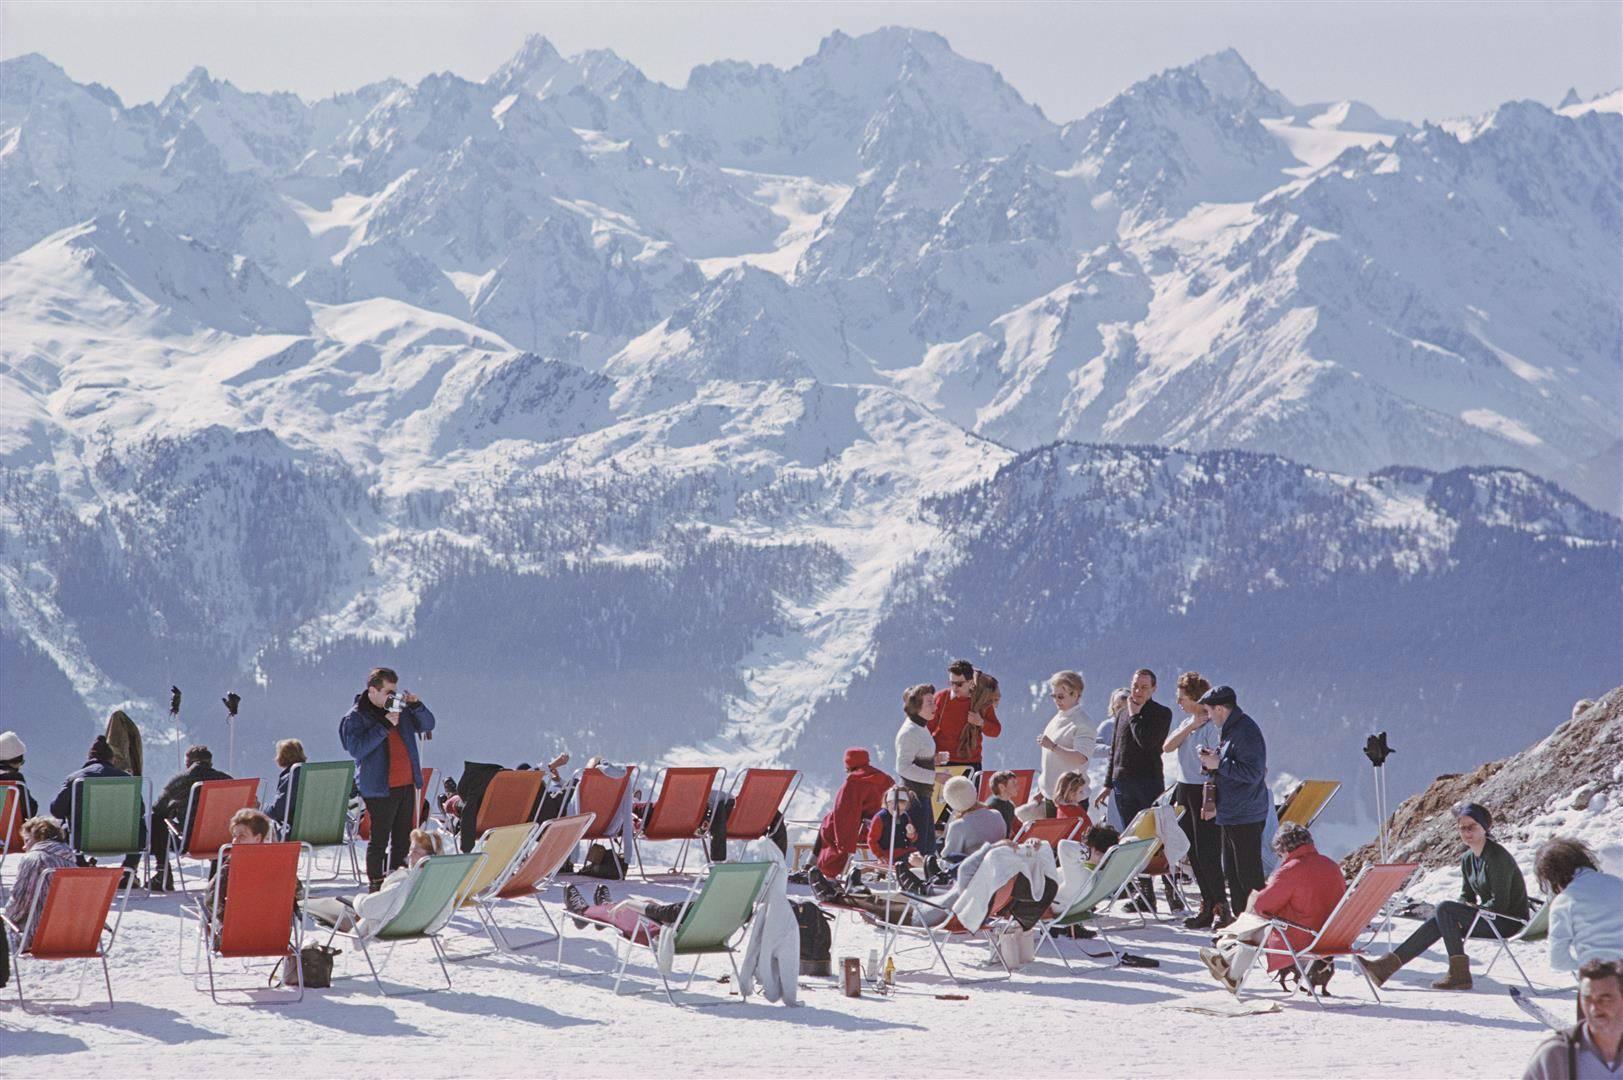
{"x": 1492, "y": 886}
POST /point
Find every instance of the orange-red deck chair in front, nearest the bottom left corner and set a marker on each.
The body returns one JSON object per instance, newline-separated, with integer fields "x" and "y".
{"x": 69, "y": 925}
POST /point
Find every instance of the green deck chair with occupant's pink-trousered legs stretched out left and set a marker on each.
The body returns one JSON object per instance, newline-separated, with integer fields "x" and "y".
{"x": 717, "y": 910}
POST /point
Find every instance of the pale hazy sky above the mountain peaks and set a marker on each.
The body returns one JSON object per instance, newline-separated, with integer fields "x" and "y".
{"x": 1414, "y": 59}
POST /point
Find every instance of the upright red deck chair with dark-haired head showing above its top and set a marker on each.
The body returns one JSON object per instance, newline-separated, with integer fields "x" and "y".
{"x": 260, "y": 918}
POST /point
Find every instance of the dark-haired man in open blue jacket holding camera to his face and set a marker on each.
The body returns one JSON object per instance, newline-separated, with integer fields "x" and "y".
{"x": 381, "y": 733}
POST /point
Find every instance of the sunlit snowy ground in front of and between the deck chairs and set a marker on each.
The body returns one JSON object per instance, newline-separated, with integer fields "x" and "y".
{"x": 509, "y": 1017}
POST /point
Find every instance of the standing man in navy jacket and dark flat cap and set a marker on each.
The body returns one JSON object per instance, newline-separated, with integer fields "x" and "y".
{"x": 1241, "y": 767}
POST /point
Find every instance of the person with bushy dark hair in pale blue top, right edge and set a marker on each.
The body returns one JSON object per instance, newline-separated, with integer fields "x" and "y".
{"x": 1586, "y": 907}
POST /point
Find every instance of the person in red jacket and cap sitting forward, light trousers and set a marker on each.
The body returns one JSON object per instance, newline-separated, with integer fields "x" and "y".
{"x": 1304, "y": 891}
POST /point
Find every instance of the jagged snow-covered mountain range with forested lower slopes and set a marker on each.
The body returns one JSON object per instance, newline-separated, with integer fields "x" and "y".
{"x": 567, "y": 384}
